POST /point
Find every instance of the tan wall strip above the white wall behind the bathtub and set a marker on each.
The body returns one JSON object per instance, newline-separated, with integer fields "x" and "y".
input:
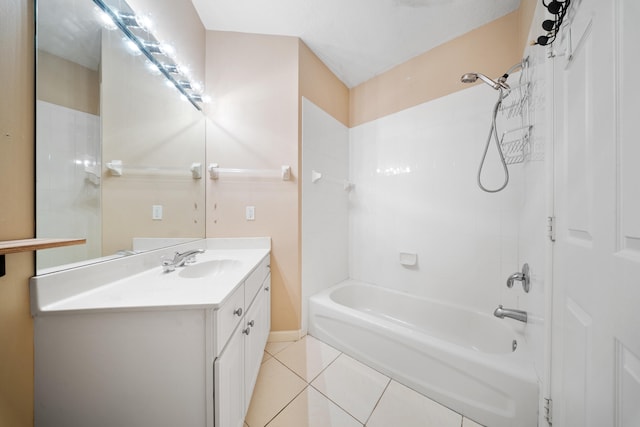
{"x": 490, "y": 49}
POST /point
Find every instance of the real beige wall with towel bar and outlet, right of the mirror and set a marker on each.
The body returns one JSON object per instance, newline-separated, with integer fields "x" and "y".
{"x": 253, "y": 124}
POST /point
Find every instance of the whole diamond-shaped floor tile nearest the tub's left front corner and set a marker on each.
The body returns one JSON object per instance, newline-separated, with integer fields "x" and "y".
{"x": 307, "y": 357}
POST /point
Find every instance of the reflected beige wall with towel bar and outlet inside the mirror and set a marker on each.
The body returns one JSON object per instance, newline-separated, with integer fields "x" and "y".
{"x": 145, "y": 123}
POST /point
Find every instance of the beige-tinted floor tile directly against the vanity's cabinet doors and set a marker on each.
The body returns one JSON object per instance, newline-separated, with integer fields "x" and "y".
{"x": 275, "y": 388}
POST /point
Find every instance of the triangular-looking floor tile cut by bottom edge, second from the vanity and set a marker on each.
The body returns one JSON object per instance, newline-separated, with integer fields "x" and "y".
{"x": 312, "y": 409}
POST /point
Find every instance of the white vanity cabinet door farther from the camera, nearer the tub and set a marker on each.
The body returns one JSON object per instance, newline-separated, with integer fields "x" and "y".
{"x": 257, "y": 323}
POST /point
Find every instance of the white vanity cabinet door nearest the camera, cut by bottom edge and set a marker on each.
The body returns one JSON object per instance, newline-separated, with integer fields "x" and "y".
{"x": 229, "y": 406}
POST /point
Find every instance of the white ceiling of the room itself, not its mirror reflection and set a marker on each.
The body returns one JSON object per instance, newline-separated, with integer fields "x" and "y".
{"x": 356, "y": 39}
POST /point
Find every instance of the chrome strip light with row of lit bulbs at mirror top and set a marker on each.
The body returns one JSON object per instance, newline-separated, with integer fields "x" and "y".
{"x": 160, "y": 56}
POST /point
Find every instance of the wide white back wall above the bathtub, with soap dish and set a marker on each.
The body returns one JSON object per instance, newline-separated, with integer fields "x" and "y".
{"x": 415, "y": 175}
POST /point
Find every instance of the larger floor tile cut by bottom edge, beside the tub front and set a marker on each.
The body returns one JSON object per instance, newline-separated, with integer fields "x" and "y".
{"x": 401, "y": 406}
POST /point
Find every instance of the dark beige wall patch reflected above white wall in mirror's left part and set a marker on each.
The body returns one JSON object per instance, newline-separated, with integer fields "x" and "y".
{"x": 68, "y": 84}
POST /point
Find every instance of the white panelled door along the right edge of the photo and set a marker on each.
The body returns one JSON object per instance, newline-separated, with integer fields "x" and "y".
{"x": 596, "y": 316}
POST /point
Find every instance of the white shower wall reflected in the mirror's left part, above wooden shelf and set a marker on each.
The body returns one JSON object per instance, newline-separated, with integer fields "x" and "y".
{"x": 67, "y": 197}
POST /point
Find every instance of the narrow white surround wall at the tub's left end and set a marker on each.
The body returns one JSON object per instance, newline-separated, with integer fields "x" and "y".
{"x": 325, "y": 148}
